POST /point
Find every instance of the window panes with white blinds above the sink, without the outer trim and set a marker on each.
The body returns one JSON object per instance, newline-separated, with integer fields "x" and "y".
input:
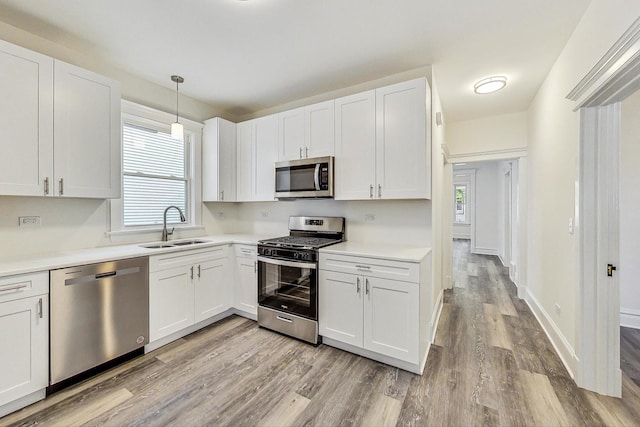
{"x": 154, "y": 175}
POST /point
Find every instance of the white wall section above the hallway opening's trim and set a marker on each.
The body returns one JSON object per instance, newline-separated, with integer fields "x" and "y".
{"x": 506, "y": 132}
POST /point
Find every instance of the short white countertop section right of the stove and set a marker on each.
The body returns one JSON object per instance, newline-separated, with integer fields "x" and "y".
{"x": 378, "y": 250}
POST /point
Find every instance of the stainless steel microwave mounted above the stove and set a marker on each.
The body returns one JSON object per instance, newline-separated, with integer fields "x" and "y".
{"x": 305, "y": 178}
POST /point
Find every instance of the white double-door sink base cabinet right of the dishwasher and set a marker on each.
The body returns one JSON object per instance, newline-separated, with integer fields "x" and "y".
{"x": 187, "y": 287}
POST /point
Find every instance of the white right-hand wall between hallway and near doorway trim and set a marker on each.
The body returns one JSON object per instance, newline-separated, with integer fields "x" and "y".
{"x": 553, "y": 141}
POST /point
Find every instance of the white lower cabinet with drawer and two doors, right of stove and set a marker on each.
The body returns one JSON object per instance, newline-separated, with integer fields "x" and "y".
{"x": 373, "y": 305}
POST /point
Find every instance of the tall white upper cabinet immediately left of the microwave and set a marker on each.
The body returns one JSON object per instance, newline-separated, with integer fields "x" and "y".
{"x": 257, "y": 154}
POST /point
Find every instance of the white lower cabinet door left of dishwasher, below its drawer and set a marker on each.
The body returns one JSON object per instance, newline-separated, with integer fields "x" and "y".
{"x": 24, "y": 359}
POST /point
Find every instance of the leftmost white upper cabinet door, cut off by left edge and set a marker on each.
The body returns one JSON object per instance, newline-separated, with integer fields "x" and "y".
{"x": 26, "y": 120}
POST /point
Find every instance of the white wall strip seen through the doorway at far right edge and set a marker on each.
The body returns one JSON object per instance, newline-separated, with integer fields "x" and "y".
{"x": 629, "y": 268}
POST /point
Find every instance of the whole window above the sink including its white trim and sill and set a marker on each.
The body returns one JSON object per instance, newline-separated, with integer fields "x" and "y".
{"x": 157, "y": 172}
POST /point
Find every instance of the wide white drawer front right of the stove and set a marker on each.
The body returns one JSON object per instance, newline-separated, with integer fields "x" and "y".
{"x": 386, "y": 269}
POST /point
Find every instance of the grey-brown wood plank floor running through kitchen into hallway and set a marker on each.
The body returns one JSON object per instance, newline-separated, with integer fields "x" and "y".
{"x": 491, "y": 365}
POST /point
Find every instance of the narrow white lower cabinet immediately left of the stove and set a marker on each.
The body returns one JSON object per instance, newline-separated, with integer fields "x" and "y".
{"x": 246, "y": 279}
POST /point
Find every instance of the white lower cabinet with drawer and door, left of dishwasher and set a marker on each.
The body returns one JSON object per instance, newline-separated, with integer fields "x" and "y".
{"x": 24, "y": 334}
